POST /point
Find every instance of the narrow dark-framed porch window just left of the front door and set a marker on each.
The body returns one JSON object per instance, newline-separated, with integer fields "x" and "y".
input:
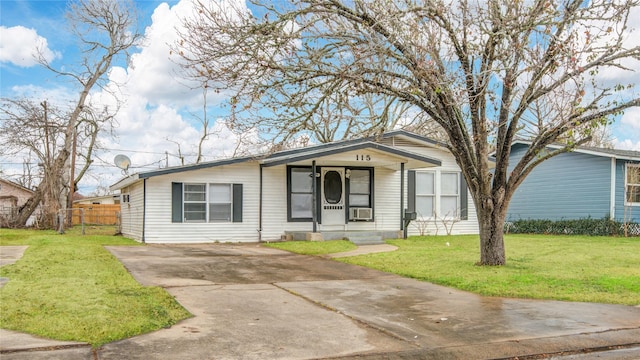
{"x": 300, "y": 186}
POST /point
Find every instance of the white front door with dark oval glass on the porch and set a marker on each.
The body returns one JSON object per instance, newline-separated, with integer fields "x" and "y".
{"x": 333, "y": 198}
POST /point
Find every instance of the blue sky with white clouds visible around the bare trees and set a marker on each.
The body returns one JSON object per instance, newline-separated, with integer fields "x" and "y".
{"x": 160, "y": 111}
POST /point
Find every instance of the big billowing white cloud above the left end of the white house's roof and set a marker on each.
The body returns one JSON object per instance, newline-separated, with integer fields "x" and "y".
{"x": 154, "y": 116}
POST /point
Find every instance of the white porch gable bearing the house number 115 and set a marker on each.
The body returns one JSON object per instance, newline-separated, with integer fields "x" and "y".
{"x": 366, "y": 154}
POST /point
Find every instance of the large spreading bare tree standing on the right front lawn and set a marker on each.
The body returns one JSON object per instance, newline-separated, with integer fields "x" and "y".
{"x": 475, "y": 68}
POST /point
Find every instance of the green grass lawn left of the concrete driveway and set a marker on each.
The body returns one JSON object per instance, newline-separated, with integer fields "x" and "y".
{"x": 69, "y": 287}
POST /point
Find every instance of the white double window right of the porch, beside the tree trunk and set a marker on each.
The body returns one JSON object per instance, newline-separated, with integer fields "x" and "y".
{"x": 437, "y": 194}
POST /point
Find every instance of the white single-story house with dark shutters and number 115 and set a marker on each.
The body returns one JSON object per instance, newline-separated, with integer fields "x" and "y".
{"x": 350, "y": 189}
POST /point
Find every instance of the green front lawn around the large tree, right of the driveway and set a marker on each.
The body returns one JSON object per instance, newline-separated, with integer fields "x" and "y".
{"x": 570, "y": 268}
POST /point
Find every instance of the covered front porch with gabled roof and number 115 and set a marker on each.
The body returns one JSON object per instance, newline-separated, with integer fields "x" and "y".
{"x": 355, "y": 192}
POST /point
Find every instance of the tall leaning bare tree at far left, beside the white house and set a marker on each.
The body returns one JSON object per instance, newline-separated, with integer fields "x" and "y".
{"x": 105, "y": 31}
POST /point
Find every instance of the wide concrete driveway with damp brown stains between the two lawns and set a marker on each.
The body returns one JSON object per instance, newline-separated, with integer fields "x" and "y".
{"x": 251, "y": 302}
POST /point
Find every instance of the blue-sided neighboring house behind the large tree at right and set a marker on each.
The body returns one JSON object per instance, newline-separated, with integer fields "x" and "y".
{"x": 587, "y": 182}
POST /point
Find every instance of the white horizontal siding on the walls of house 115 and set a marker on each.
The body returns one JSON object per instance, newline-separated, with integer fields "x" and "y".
{"x": 385, "y": 198}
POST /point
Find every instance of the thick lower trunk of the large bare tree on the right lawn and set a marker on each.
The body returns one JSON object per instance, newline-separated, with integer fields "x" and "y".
{"x": 491, "y": 224}
